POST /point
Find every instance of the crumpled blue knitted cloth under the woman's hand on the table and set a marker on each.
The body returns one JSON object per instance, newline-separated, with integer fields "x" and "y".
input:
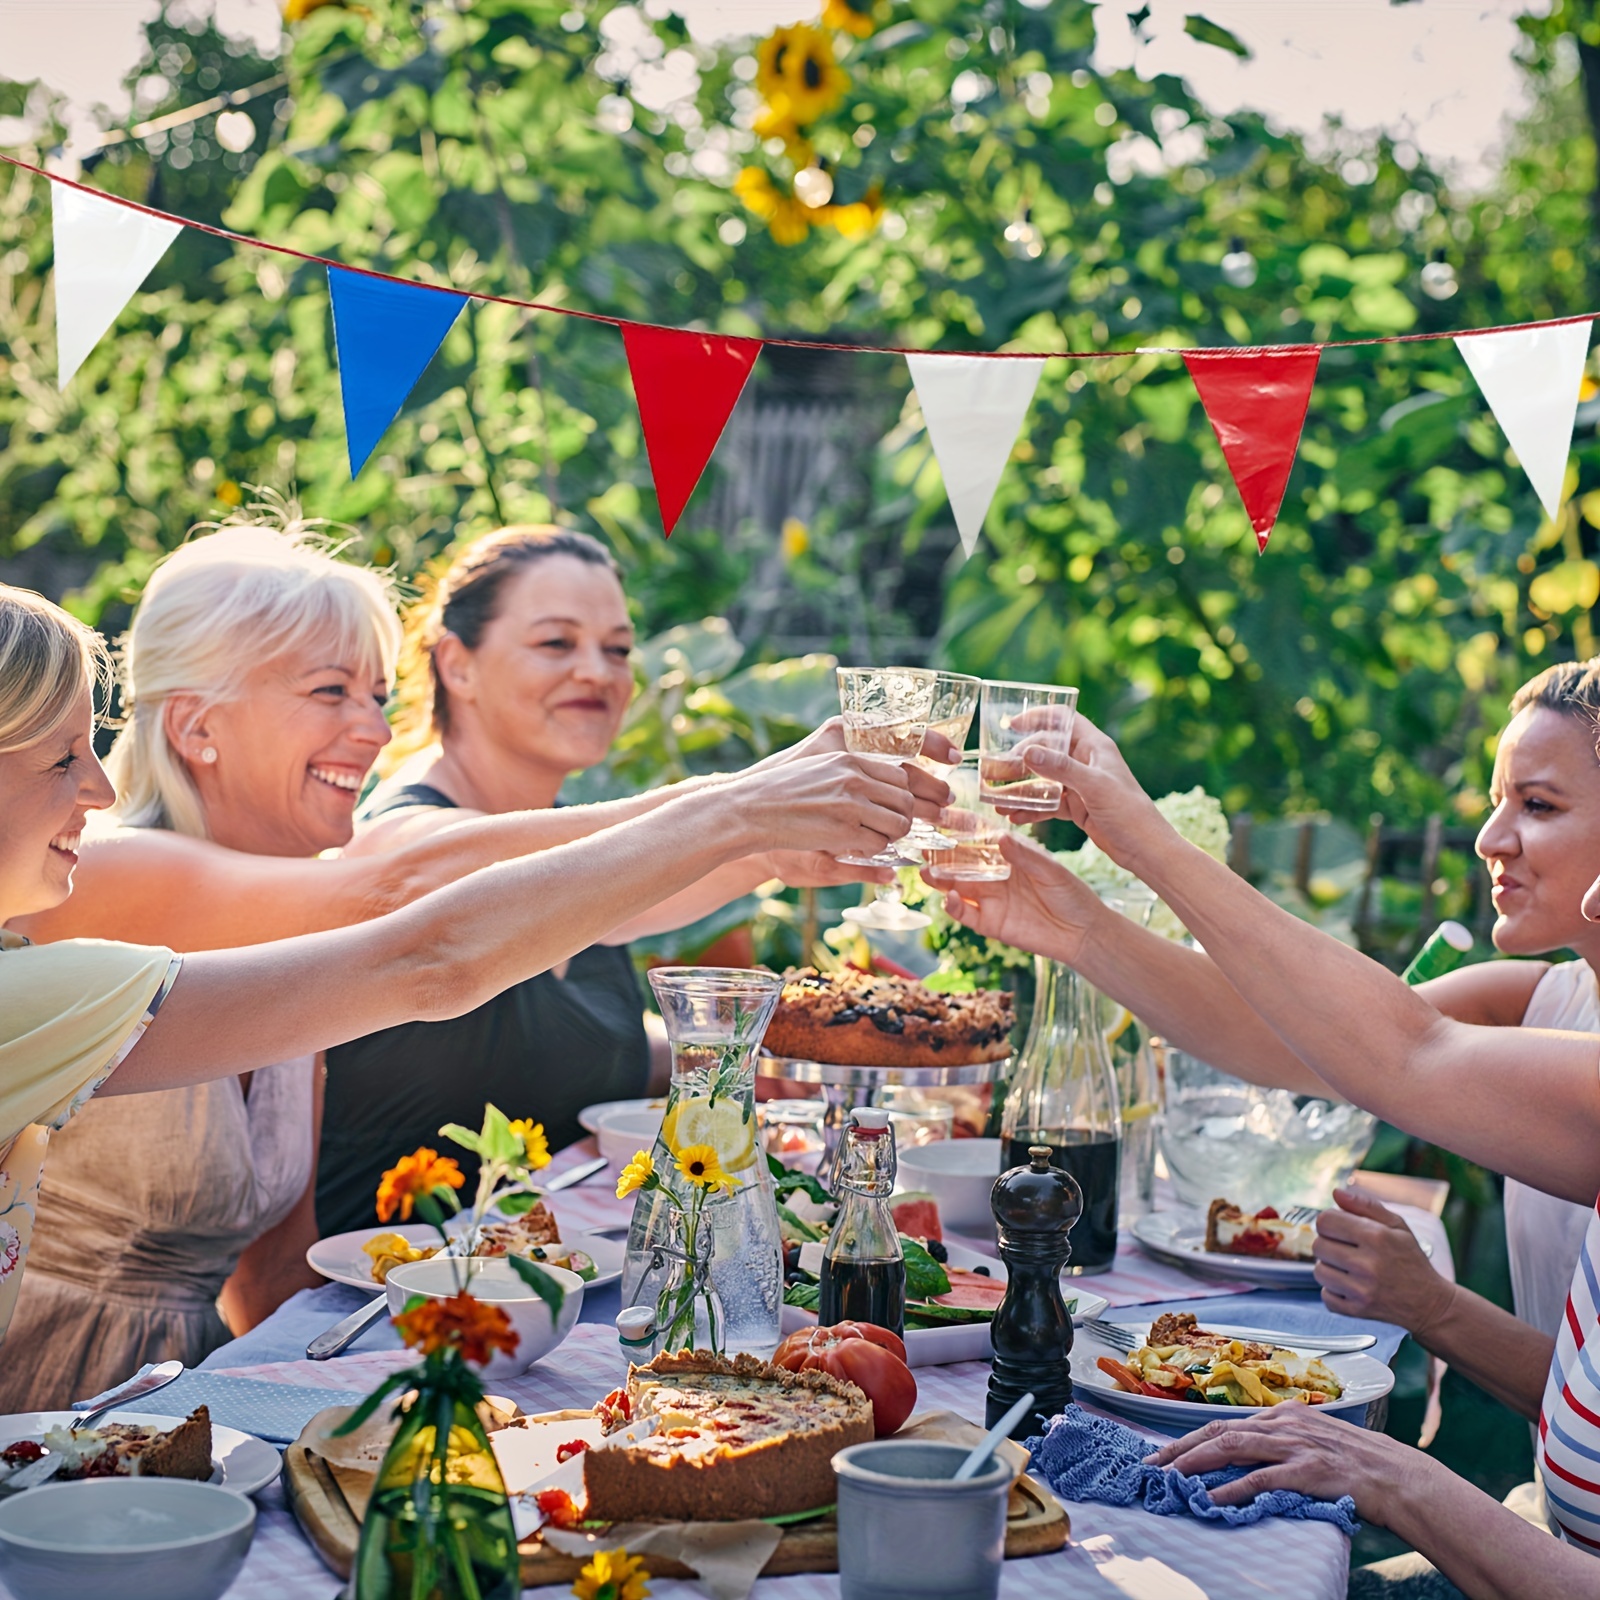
{"x": 1092, "y": 1458}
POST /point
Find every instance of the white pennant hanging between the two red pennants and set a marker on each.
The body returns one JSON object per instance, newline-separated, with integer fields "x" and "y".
{"x": 974, "y": 407}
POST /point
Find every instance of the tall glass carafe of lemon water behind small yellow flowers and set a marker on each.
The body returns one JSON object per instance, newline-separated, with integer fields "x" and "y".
{"x": 705, "y": 1250}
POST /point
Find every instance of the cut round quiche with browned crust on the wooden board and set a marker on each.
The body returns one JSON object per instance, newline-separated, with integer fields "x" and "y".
{"x": 735, "y": 1439}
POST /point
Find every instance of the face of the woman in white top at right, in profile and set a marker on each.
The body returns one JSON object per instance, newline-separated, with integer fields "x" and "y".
{"x": 1543, "y": 841}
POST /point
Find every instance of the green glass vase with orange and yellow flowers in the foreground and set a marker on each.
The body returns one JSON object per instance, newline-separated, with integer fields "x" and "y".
{"x": 439, "y": 1526}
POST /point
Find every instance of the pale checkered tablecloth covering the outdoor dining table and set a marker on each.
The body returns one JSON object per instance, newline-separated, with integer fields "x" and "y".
{"x": 1116, "y": 1554}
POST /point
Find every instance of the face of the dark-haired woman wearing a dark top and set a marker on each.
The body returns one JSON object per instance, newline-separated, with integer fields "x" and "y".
{"x": 551, "y": 678}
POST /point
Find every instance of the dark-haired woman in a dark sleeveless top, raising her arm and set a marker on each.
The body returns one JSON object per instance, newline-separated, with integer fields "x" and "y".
{"x": 518, "y": 673}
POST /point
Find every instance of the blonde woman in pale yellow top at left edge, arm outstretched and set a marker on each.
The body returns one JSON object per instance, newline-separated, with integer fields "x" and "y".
{"x": 87, "y": 1015}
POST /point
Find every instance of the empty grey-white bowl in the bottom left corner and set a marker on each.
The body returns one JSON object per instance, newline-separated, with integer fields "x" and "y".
{"x": 132, "y": 1538}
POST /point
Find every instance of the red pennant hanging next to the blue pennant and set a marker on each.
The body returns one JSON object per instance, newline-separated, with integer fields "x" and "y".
{"x": 687, "y": 386}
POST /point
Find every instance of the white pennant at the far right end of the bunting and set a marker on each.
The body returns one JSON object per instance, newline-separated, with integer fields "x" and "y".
{"x": 1530, "y": 378}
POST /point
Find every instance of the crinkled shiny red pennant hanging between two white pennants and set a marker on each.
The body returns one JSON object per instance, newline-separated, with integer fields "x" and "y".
{"x": 1257, "y": 402}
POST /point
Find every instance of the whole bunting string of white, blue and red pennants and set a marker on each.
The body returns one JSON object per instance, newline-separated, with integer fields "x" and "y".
{"x": 687, "y": 382}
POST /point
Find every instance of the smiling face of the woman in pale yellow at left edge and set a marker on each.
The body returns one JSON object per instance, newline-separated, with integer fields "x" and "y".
{"x": 47, "y": 790}
